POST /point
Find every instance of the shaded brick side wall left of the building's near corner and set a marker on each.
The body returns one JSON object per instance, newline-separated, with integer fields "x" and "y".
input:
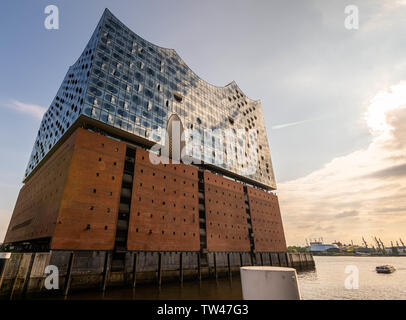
{"x": 38, "y": 202}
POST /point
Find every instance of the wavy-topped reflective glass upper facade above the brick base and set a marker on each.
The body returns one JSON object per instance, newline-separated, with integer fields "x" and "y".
{"x": 126, "y": 82}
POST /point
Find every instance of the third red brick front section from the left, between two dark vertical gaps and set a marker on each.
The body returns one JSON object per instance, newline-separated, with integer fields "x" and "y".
{"x": 226, "y": 220}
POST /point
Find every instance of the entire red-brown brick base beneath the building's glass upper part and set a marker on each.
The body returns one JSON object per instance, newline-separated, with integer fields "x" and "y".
{"x": 97, "y": 193}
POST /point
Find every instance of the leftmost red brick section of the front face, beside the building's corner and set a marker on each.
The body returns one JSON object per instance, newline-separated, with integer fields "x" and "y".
{"x": 96, "y": 165}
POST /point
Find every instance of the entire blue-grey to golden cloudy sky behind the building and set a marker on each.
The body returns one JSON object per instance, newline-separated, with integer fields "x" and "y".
{"x": 334, "y": 100}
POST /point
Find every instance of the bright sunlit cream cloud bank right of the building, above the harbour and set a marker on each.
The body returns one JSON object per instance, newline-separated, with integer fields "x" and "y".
{"x": 368, "y": 183}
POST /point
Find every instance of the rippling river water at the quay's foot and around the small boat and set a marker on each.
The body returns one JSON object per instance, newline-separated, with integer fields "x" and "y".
{"x": 328, "y": 281}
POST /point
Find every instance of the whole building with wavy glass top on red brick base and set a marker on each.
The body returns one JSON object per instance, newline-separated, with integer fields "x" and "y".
{"x": 90, "y": 186}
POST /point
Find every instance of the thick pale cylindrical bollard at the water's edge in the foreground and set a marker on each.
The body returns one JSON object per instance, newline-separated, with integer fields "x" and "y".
{"x": 269, "y": 283}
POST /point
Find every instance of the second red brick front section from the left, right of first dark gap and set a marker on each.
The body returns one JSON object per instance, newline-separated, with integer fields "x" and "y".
{"x": 164, "y": 207}
